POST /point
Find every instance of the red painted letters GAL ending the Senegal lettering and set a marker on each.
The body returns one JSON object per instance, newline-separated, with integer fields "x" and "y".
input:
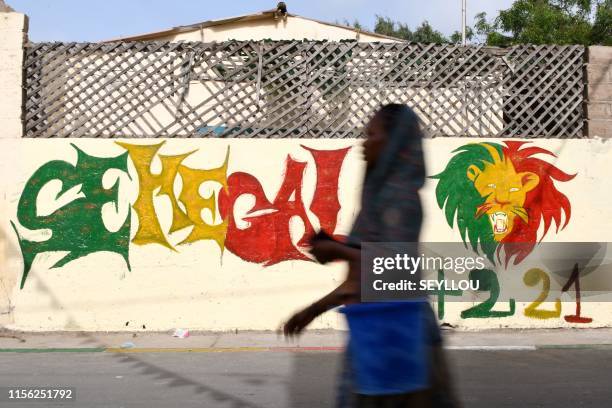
{"x": 267, "y": 239}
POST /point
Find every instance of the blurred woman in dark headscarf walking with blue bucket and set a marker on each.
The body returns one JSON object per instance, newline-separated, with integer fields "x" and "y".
{"x": 390, "y": 212}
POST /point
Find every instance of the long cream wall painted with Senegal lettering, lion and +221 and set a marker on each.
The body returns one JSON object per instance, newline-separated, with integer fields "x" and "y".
{"x": 164, "y": 197}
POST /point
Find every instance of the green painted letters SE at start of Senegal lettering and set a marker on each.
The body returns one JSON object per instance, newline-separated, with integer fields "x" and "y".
{"x": 76, "y": 228}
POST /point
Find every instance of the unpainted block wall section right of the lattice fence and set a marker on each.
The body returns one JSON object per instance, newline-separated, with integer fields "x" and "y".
{"x": 599, "y": 91}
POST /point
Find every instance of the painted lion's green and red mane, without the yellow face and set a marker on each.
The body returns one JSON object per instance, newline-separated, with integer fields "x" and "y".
{"x": 459, "y": 199}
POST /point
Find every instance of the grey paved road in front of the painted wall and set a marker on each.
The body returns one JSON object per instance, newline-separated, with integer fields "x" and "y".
{"x": 542, "y": 378}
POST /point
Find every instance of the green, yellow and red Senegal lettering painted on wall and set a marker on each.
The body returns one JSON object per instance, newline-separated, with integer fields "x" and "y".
{"x": 78, "y": 228}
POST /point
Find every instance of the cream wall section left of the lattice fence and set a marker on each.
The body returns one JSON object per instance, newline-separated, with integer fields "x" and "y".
{"x": 13, "y": 32}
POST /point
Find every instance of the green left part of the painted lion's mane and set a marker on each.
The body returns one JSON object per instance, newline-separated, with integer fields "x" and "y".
{"x": 459, "y": 199}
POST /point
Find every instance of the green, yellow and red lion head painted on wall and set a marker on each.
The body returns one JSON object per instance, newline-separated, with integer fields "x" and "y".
{"x": 500, "y": 194}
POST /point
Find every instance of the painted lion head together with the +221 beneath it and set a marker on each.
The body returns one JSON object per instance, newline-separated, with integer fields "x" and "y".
{"x": 500, "y": 194}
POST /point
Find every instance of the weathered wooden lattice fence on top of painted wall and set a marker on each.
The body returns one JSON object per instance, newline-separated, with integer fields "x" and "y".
{"x": 298, "y": 89}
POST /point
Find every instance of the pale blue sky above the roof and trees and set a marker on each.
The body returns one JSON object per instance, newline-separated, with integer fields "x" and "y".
{"x": 93, "y": 20}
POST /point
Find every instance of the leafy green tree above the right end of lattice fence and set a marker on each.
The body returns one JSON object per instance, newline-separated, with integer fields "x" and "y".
{"x": 548, "y": 22}
